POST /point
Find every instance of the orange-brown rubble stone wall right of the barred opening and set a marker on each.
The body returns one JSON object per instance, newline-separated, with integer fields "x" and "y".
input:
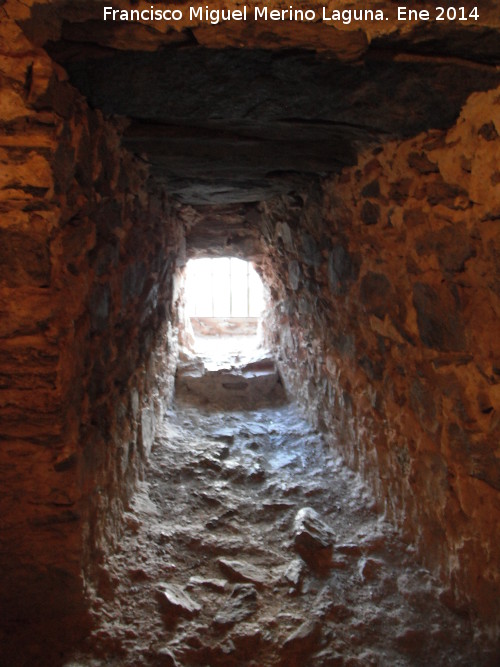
{"x": 387, "y": 325}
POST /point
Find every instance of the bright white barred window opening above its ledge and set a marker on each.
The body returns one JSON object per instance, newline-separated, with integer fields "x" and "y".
{"x": 223, "y": 287}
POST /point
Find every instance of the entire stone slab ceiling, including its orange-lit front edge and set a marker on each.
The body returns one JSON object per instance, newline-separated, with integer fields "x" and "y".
{"x": 233, "y": 112}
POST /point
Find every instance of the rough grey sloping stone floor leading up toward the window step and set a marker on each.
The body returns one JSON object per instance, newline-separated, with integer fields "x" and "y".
{"x": 207, "y": 571}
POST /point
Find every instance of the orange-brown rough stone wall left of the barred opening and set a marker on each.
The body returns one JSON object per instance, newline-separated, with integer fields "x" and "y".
{"x": 87, "y": 344}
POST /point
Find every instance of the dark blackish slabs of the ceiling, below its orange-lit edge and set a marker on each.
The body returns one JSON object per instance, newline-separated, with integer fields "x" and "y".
{"x": 220, "y": 126}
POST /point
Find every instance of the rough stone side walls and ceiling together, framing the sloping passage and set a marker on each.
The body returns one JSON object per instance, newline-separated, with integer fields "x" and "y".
{"x": 356, "y": 165}
